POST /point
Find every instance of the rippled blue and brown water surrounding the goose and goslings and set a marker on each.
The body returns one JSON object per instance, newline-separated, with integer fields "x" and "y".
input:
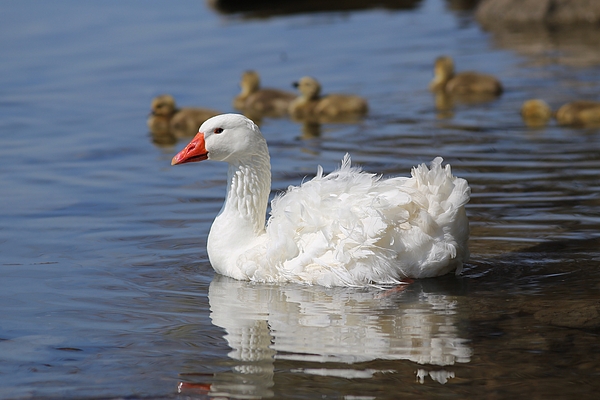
{"x": 105, "y": 286}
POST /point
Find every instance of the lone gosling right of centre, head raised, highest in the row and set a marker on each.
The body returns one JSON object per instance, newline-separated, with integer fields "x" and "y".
{"x": 463, "y": 83}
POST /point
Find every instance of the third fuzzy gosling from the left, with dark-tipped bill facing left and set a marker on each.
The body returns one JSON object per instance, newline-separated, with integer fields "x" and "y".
{"x": 311, "y": 106}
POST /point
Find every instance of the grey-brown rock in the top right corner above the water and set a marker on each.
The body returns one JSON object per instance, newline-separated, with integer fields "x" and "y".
{"x": 548, "y": 12}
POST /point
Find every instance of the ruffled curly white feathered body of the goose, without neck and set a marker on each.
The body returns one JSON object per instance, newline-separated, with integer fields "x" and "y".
{"x": 354, "y": 228}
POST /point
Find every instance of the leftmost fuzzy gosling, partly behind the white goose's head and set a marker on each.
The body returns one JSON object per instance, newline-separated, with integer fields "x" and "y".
{"x": 166, "y": 118}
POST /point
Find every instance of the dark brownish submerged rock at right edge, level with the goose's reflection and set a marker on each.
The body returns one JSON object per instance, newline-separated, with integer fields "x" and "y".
{"x": 582, "y": 314}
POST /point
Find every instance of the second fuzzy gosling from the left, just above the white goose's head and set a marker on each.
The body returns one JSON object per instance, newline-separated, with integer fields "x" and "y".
{"x": 262, "y": 102}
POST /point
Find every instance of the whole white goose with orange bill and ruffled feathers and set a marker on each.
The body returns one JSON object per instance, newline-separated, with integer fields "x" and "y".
{"x": 348, "y": 228}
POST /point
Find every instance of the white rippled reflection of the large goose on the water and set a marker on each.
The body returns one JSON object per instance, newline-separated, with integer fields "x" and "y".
{"x": 312, "y": 324}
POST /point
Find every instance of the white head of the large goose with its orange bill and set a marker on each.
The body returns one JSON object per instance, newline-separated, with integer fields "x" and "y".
{"x": 227, "y": 137}
